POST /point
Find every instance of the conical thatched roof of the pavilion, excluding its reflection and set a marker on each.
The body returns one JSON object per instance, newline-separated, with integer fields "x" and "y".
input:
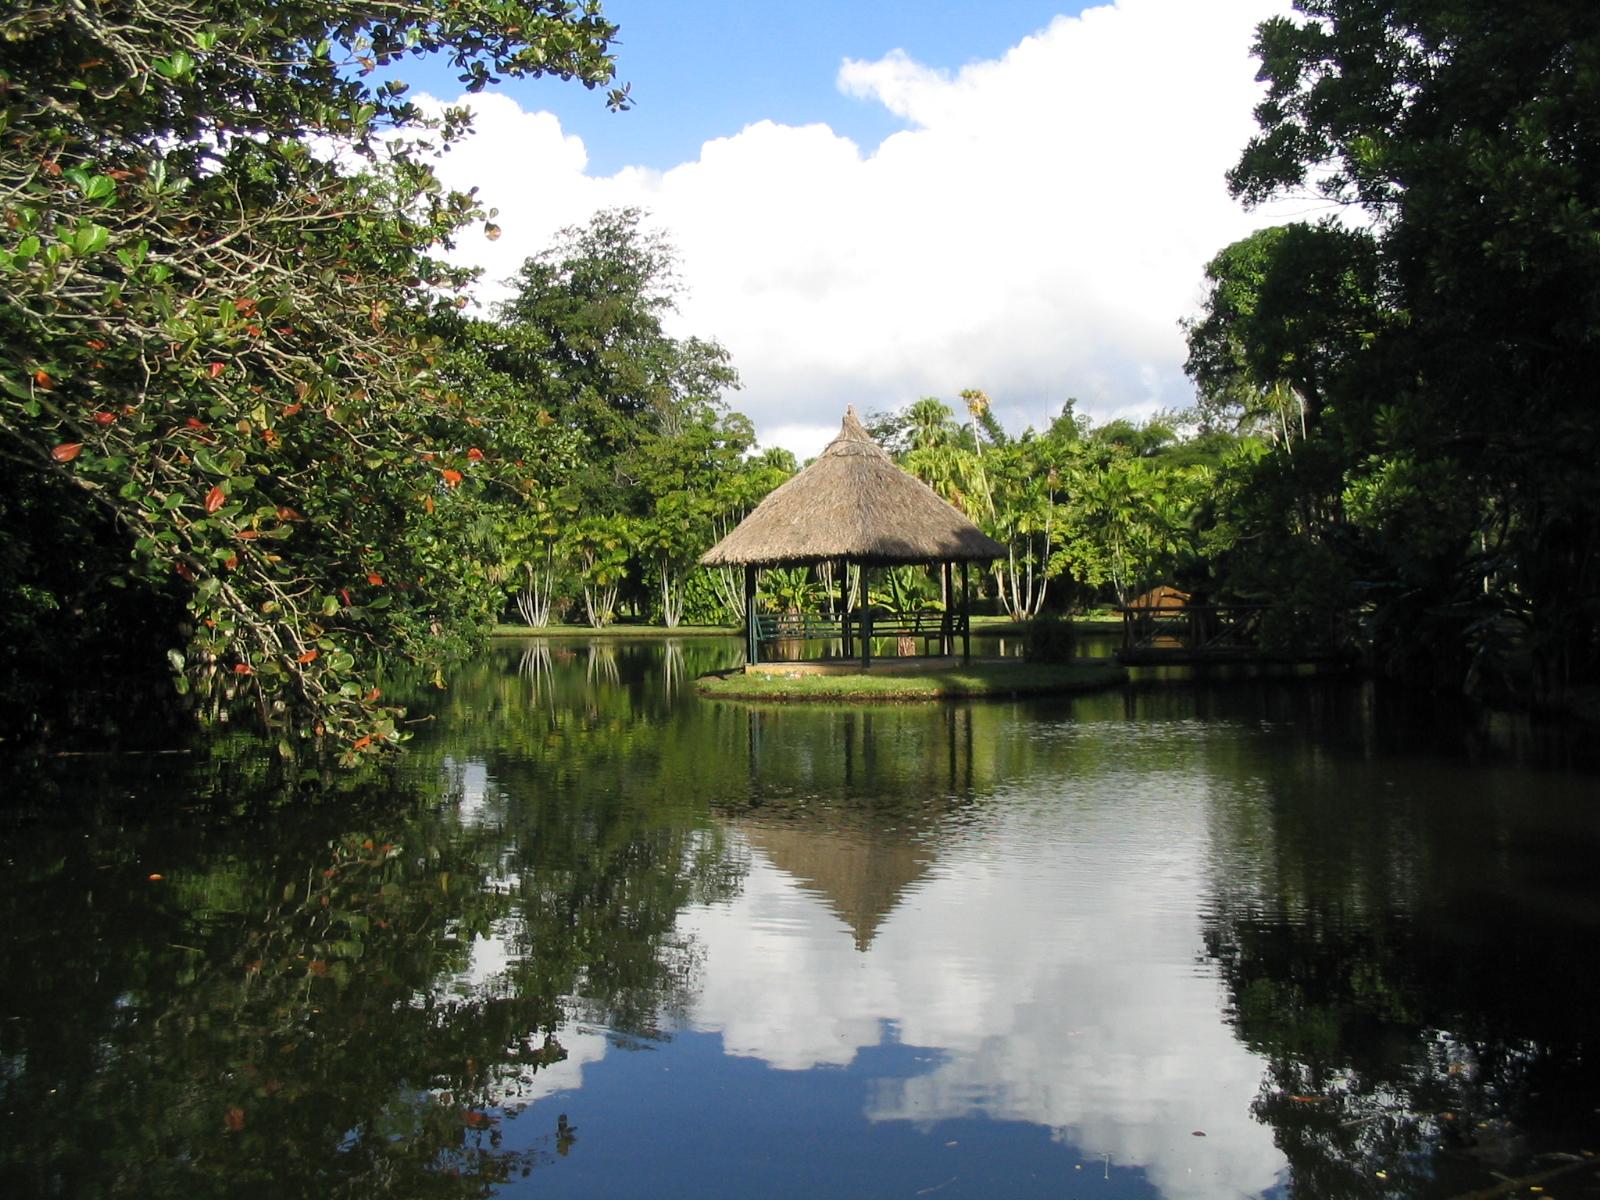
{"x": 854, "y": 503}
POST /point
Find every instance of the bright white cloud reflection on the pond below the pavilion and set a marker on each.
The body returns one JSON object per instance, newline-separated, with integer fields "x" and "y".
{"x": 1050, "y": 956}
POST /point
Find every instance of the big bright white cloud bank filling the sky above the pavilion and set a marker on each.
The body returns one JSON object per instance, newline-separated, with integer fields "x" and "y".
{"x": 1038, "y": 231}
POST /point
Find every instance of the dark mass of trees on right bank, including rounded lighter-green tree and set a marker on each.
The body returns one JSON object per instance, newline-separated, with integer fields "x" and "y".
{"x": 1425, "y": 364}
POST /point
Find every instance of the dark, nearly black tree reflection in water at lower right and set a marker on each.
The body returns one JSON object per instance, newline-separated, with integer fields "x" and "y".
{"x": 1407, "y": 964}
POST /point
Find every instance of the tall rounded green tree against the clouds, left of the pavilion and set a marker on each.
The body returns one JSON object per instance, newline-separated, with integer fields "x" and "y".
{"x": 582, "y": 348}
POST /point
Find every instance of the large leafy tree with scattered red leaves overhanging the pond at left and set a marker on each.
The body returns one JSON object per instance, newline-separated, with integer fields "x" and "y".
{"x": 214, "y": 332}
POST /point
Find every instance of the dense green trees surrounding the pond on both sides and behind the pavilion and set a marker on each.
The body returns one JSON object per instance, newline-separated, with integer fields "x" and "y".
{"x": 258, "y": 447}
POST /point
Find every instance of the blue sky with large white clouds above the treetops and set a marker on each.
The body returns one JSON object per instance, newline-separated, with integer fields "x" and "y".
{"x": 876, "y": 202}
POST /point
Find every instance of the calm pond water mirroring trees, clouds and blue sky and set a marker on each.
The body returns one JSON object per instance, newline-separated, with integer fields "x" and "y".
{"x": 599, "y": 938}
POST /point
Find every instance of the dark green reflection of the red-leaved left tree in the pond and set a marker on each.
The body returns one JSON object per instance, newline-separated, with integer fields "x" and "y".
{"x": 281, "y": 1002}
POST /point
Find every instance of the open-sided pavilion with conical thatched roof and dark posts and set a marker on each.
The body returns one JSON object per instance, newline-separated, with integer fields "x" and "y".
{"x": 855, "y": 506}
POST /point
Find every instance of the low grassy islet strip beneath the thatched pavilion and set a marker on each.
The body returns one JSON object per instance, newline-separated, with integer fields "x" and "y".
{"x": 980, "y": 679}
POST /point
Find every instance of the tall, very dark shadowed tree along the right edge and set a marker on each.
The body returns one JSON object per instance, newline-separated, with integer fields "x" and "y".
{"x": 1466, "y": 134}
